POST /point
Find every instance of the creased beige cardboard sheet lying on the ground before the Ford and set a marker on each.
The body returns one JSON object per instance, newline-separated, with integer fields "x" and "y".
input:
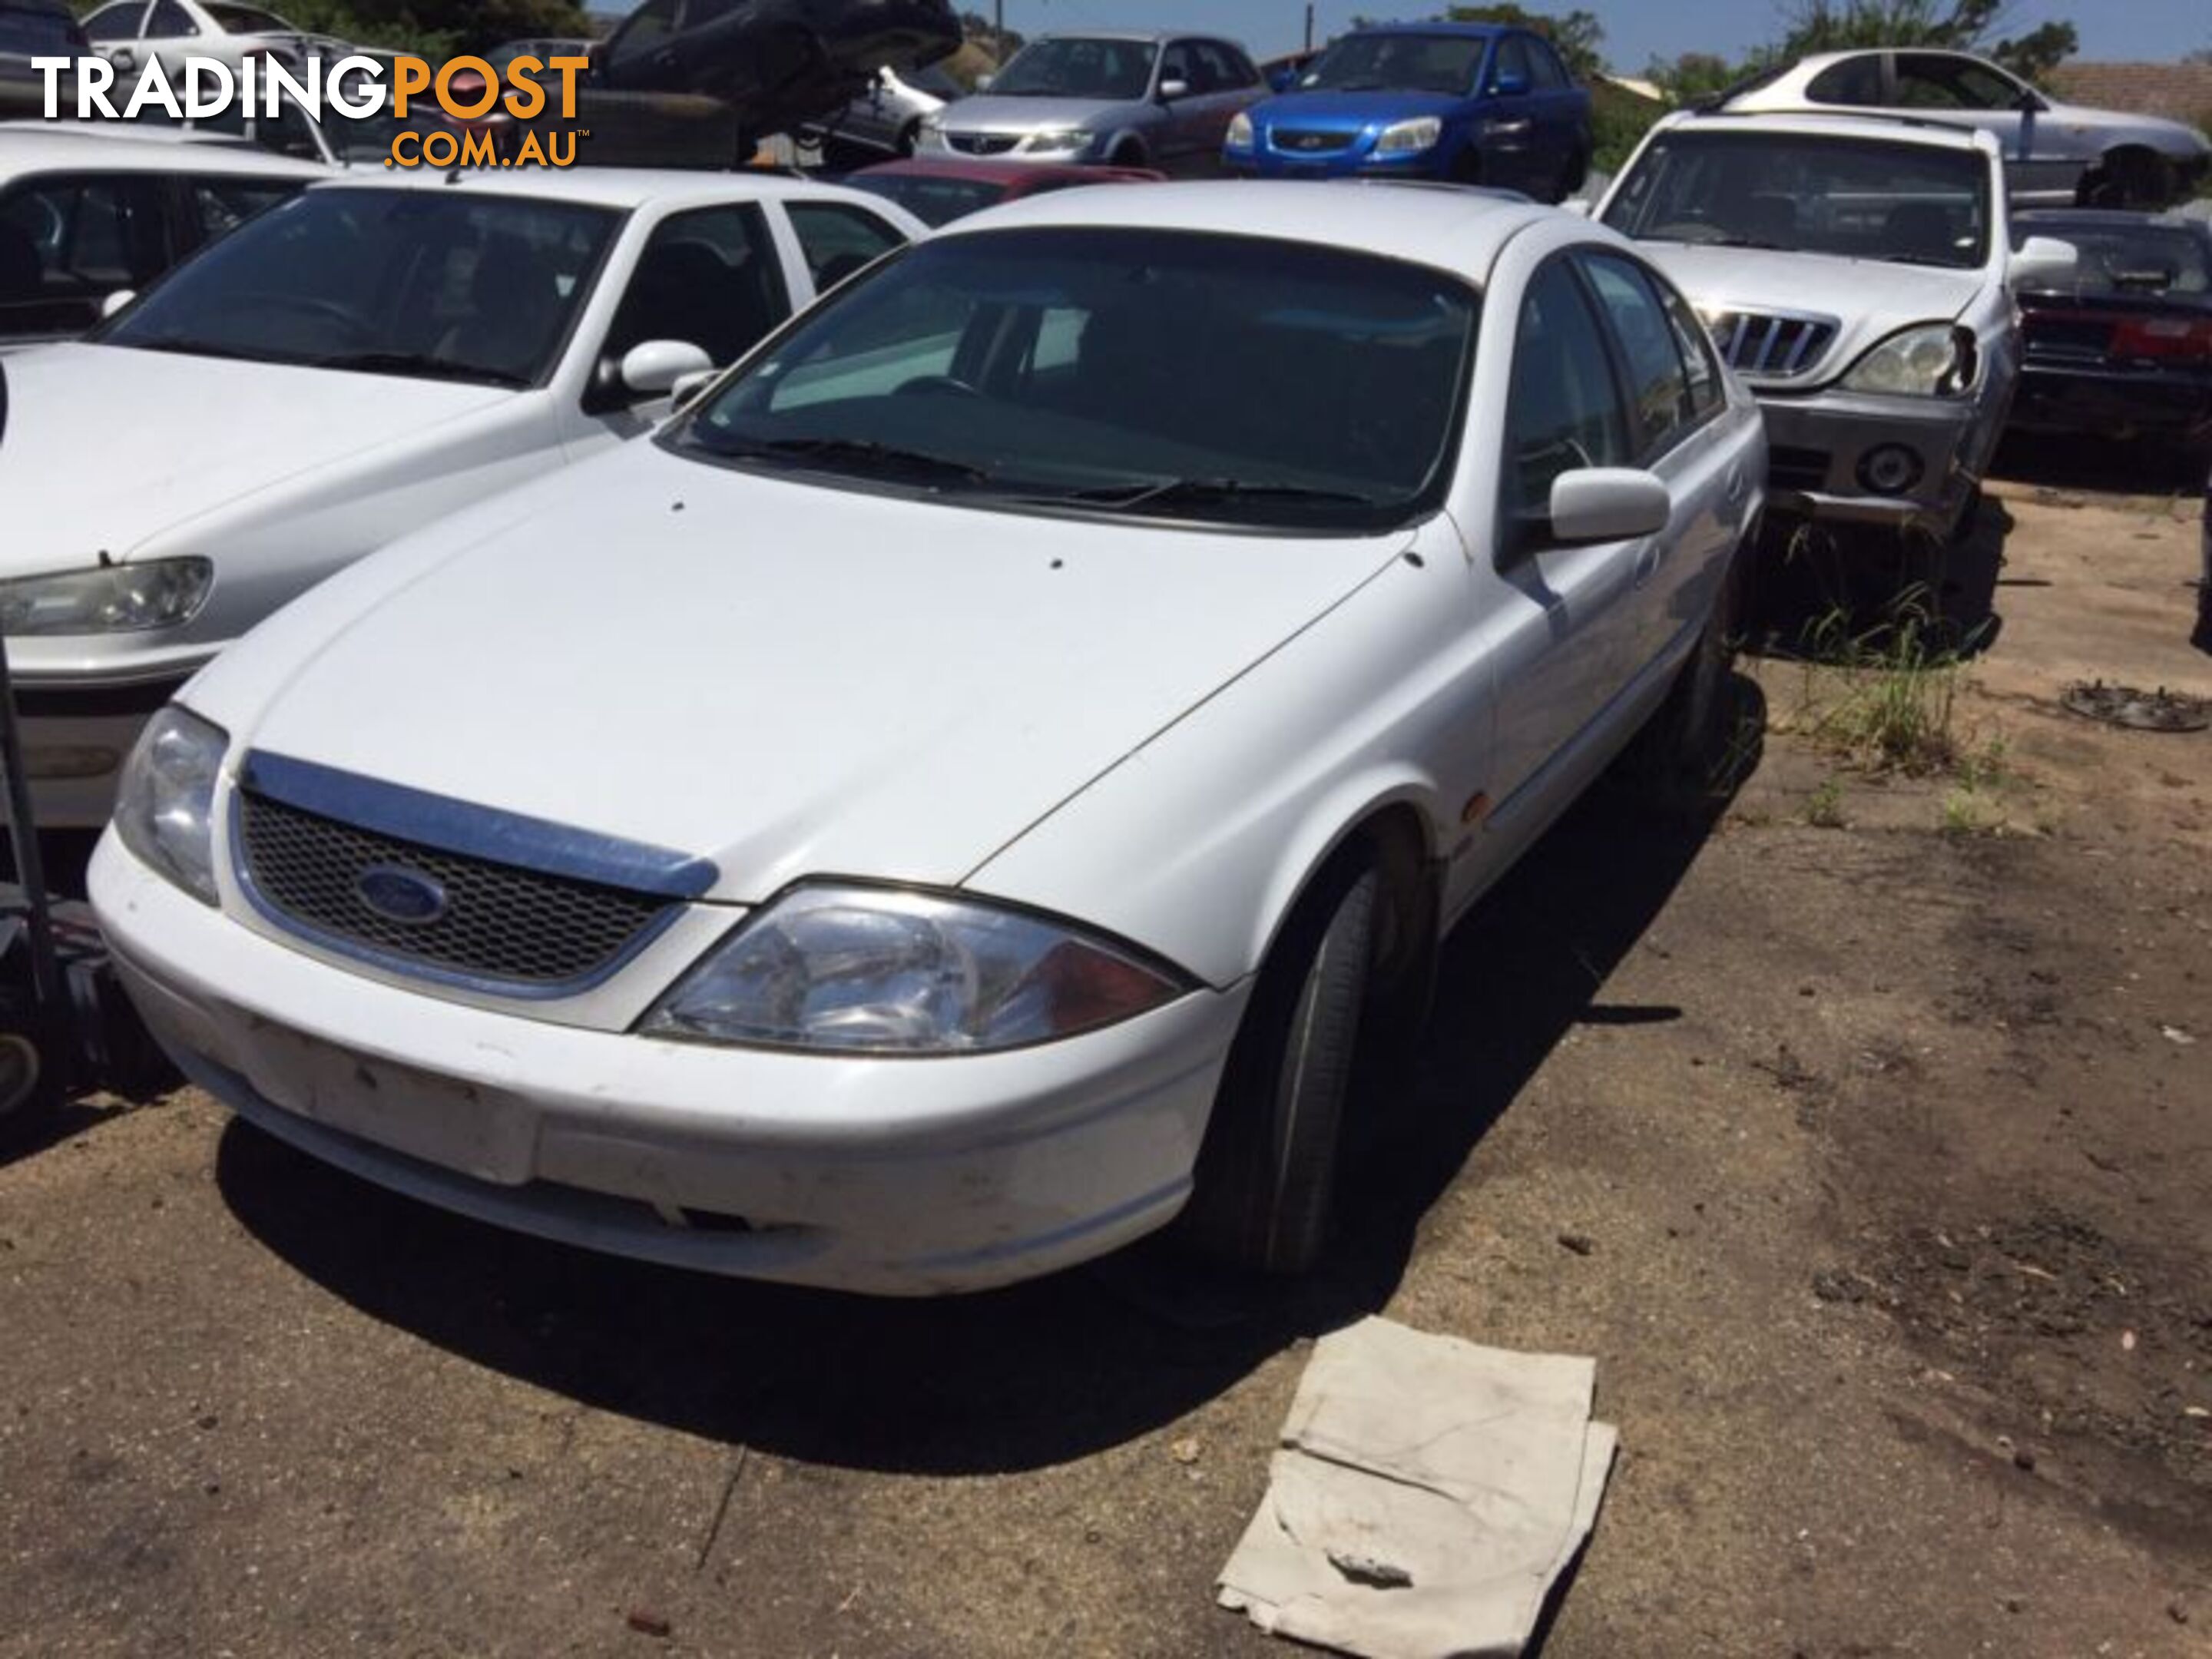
{"x": 1428, "y": 1496}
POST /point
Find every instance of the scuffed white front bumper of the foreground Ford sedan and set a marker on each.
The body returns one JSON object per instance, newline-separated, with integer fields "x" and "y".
{"x": 879, "y": 1176}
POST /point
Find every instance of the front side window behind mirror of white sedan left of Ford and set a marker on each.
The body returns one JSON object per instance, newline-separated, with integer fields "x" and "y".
{"x": 707, "y": 278}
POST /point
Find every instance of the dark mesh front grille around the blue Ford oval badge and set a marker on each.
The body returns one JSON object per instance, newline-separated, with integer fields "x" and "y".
{"x": 501, "y": 924}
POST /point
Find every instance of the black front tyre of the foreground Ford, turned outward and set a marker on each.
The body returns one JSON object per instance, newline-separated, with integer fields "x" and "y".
{"x": 1271, "y": 1158}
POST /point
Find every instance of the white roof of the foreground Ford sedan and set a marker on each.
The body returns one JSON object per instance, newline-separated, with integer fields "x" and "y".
{"x": 1448, "y": 227}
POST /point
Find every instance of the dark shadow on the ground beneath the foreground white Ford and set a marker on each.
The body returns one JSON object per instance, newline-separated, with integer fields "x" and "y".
{"x": 1023, "y": 1377}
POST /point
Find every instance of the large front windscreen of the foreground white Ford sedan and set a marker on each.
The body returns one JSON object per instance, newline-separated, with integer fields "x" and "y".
{"x": 1120, "y": 371}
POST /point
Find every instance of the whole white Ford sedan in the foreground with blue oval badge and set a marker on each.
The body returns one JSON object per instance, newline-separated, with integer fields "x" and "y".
{"x": 963, "y": 793}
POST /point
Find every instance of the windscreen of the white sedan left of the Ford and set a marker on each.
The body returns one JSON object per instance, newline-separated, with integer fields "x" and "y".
{"x": 386, "y": 282}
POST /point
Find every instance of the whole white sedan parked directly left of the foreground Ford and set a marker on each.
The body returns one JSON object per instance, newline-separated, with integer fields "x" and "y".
{"x": 346, "y": 368}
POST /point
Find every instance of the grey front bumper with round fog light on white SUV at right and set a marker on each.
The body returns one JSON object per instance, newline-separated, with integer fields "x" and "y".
{"x": 1826, "y": 457}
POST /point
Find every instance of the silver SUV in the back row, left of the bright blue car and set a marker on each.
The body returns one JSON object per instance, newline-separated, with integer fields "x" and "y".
{"x": 1149, "y": 101}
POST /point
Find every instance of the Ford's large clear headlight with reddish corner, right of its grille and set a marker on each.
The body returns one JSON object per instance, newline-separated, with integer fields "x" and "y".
{"x": 877, "y": 970}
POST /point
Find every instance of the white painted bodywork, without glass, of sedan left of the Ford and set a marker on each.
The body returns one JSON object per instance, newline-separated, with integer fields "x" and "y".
{"x": 284, "y": 474}
